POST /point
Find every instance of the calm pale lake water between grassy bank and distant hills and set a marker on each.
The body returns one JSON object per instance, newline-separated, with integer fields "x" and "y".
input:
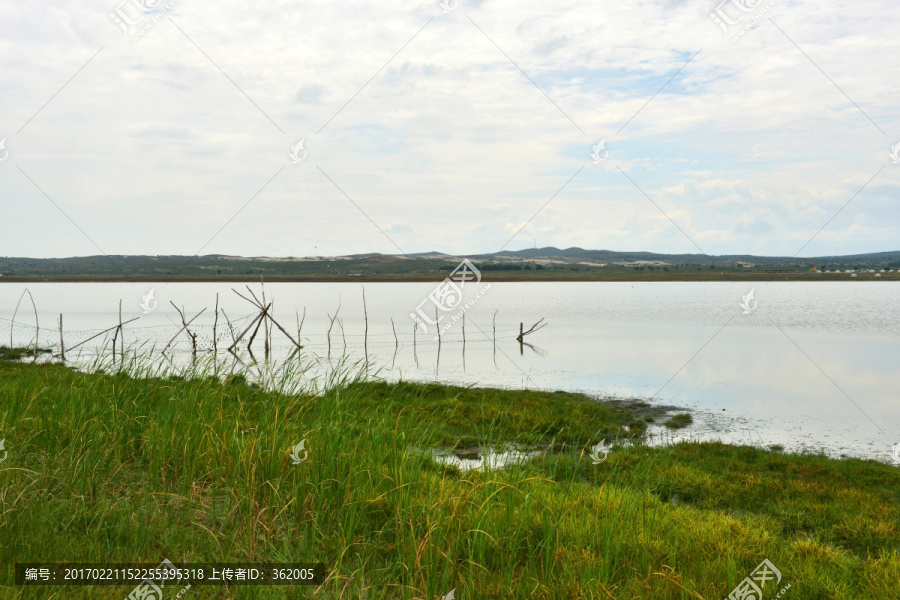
{"x": 813, "y": 366}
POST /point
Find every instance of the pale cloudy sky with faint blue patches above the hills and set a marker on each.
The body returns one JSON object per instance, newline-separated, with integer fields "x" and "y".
{"x": 172, "y": 127}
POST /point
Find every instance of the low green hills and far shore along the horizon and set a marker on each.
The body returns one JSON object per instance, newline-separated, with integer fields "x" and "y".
{"x": 532, "y": 263}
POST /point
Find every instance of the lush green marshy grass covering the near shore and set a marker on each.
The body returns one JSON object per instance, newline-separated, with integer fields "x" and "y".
{"x": 139, "y": 466}
